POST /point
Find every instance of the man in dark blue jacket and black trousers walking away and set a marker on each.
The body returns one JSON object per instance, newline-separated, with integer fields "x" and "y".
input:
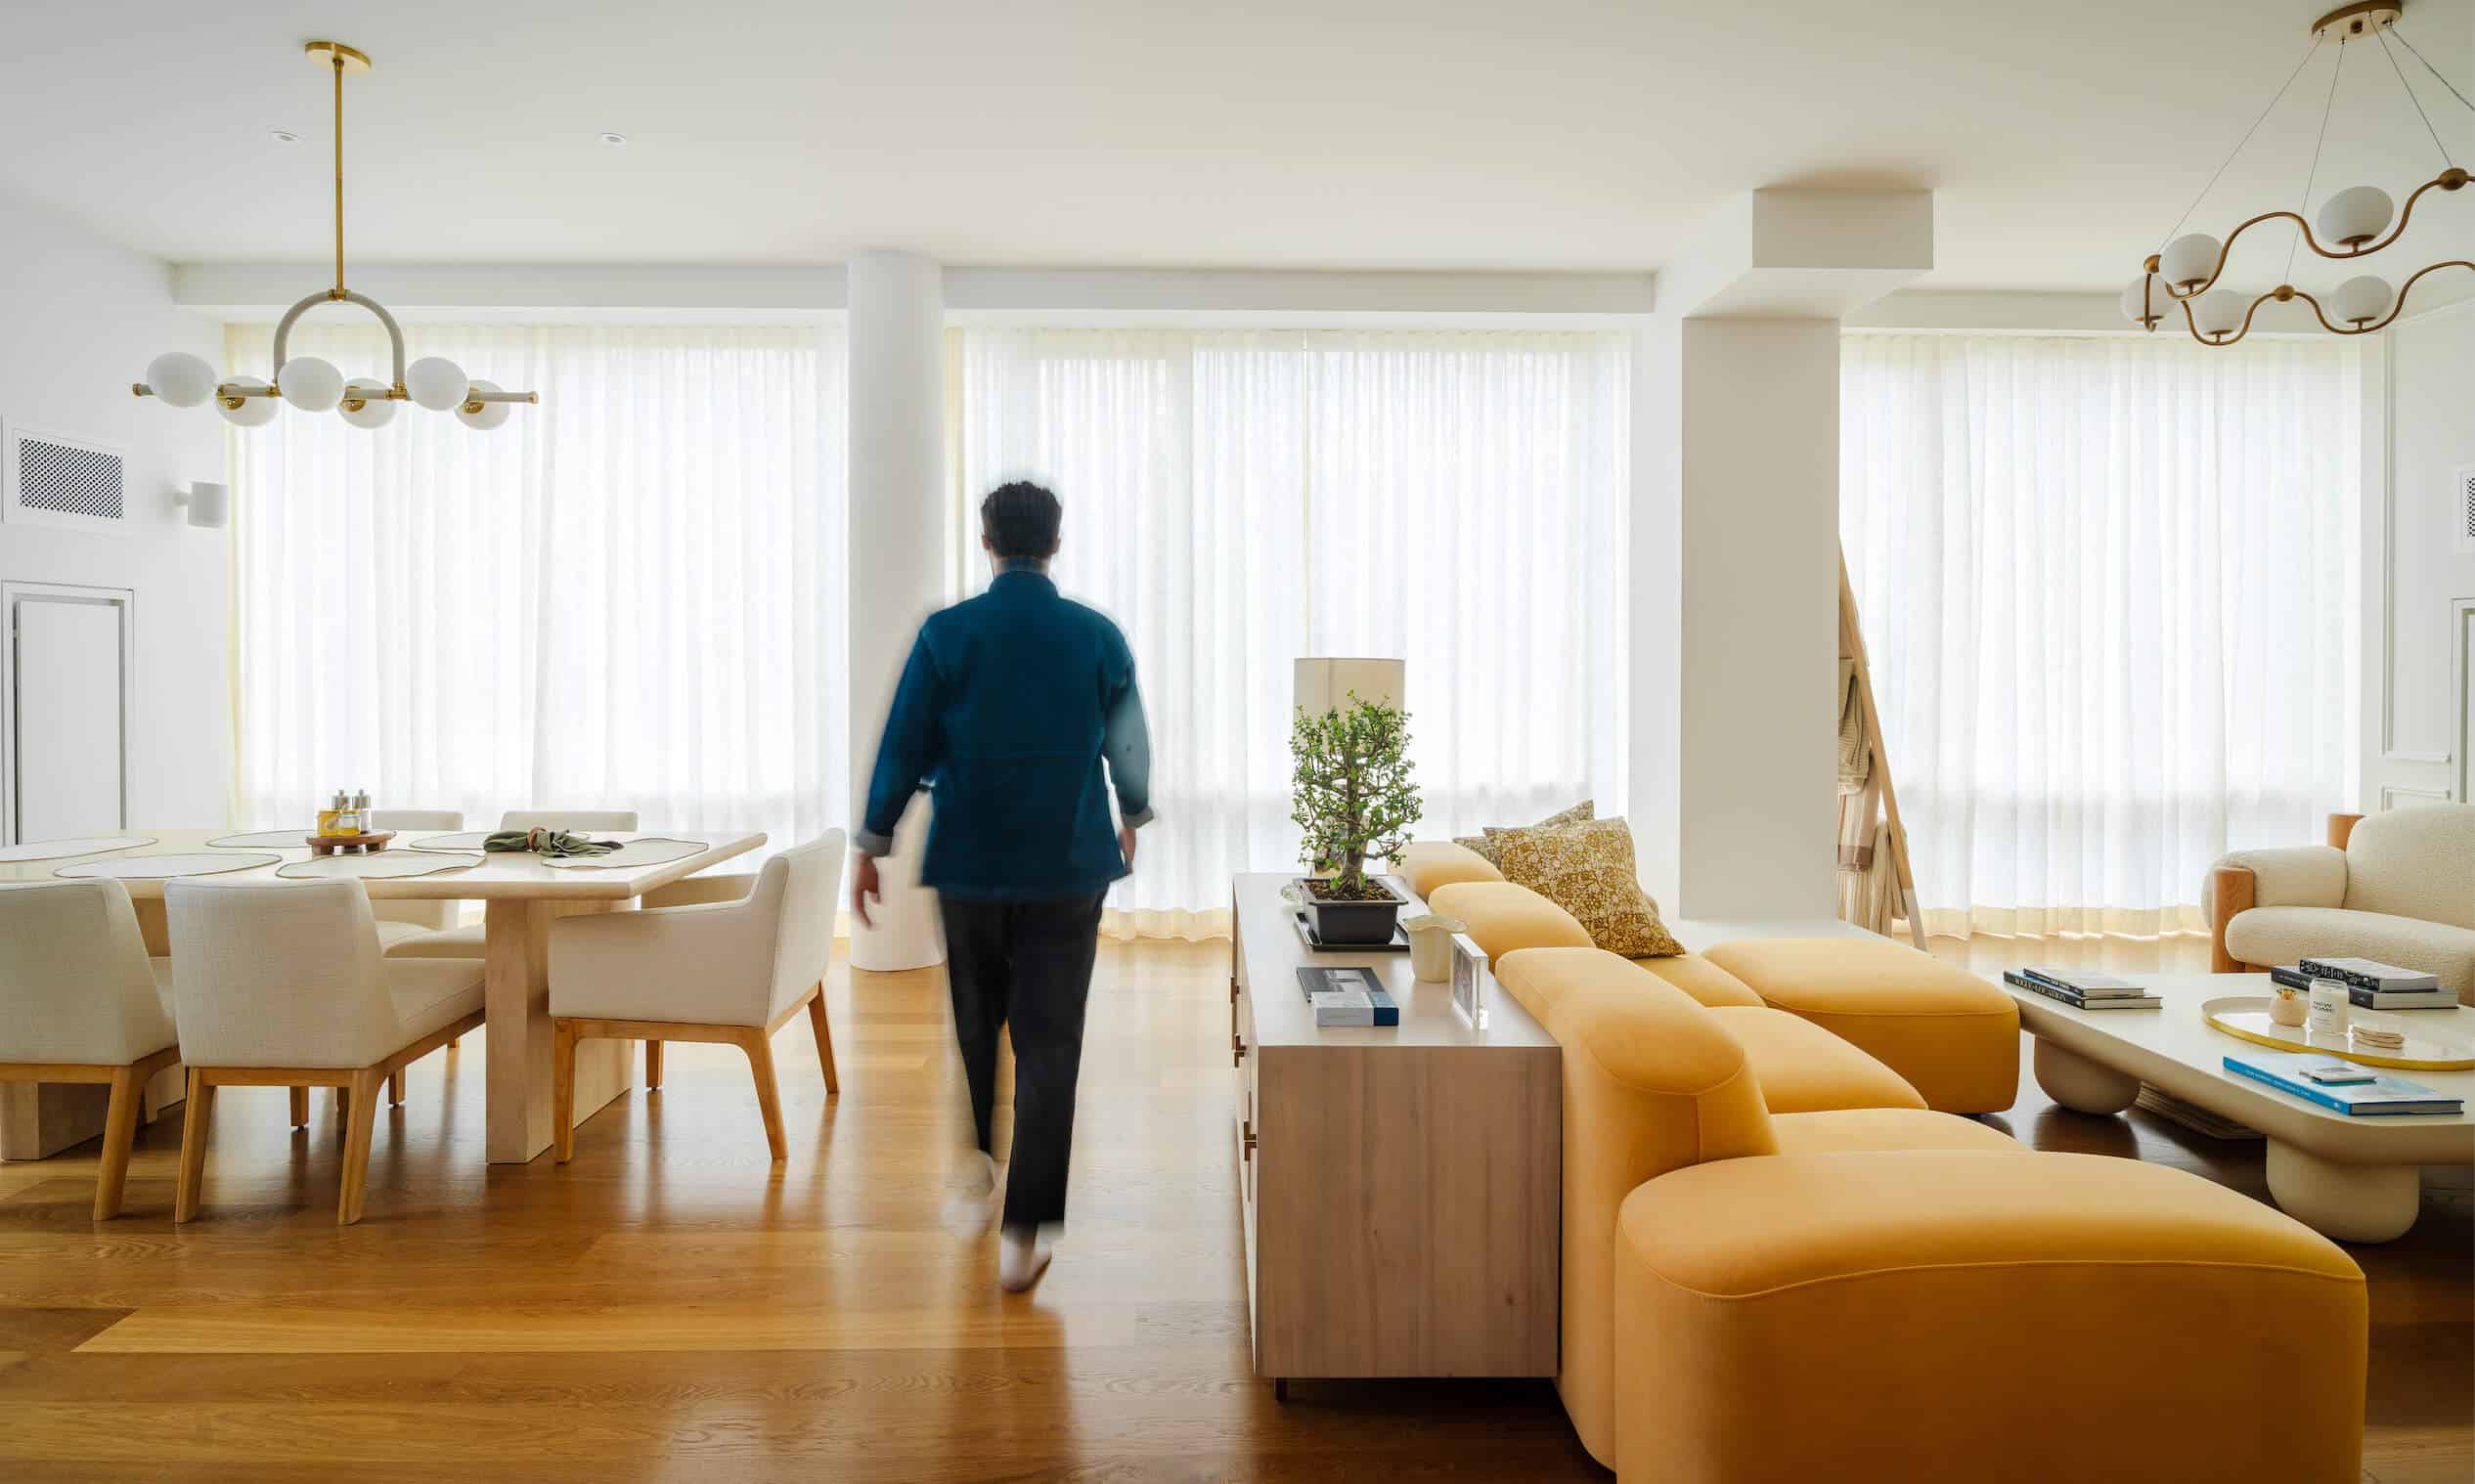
{"x": 1006, "y": 711}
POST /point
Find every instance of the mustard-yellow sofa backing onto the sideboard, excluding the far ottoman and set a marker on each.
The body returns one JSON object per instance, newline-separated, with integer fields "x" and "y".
{"x": 1781, "y": 1265}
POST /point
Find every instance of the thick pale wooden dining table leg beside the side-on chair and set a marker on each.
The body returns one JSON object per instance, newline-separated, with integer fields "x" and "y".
{"x": 516, "y": 973}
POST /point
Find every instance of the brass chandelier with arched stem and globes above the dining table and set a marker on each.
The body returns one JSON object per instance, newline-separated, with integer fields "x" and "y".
{"x": 311, "y": 382}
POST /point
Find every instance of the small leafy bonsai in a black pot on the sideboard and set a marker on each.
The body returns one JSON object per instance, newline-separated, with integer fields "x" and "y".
{"x": 1355, "y": 798}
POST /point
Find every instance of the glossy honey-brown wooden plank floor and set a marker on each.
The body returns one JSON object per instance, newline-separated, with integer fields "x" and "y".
{"x": 672, "y": 1307}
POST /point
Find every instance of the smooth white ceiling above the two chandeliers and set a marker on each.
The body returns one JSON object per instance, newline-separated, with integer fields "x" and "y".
{"x": 1414, "y": 135}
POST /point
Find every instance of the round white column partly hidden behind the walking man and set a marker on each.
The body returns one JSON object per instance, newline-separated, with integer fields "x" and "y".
{"x": 897, "y": 553}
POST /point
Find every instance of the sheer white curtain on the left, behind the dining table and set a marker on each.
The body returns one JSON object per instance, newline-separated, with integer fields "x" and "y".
{"x": 625, "y": 597}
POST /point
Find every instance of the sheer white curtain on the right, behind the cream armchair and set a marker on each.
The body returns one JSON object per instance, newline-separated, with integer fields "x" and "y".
{"x": 2107, "y": 595}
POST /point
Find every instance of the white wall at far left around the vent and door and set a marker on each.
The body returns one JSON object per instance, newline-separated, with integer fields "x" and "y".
{"x": 80, "y": 323}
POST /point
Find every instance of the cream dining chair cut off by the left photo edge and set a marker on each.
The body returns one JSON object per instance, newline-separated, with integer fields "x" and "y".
{"x": 80, "y": 1003}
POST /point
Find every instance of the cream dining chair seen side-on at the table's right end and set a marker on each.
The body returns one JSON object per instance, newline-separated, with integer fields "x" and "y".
{"x": 707, "y": 973}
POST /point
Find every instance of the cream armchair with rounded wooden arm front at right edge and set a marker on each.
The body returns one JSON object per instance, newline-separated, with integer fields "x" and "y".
{"x": 2392, "y": 887}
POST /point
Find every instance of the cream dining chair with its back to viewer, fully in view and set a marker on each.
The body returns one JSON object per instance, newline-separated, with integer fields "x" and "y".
{"x": 281, "y": 983}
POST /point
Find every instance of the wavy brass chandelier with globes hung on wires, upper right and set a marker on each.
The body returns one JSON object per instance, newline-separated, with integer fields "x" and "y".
{"x": 2184, "y": 276}
